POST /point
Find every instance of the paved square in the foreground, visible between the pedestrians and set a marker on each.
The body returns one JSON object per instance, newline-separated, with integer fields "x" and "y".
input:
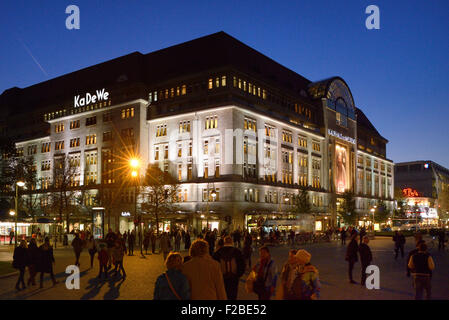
{"x": 327, "y": 257}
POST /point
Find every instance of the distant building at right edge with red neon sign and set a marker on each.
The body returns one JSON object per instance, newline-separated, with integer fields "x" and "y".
{"x": 425, "y": 187}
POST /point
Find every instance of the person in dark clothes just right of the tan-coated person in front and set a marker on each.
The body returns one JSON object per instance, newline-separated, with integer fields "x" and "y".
{"x": 232, "y": 266}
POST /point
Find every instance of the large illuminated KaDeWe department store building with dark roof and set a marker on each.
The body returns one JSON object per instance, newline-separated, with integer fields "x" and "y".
{"x": 242, "y": 134}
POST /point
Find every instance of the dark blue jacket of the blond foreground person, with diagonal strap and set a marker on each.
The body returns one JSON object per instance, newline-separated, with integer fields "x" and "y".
{"x": 162, "y": 290}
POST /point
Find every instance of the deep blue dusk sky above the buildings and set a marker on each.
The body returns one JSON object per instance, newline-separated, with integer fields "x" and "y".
{"x": 398, "y": 75}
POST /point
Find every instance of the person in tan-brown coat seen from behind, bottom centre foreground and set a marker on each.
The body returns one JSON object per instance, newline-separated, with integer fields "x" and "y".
{"x": 204, "y": 273}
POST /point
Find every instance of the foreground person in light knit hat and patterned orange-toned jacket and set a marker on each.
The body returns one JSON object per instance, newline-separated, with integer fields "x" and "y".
{"x": 306, "y": 285}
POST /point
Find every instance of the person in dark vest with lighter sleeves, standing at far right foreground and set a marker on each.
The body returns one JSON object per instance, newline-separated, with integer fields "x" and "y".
{"x": 422, "y": 265}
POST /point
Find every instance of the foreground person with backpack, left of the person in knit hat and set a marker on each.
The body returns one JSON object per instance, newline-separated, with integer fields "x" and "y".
{"x": 266, "y": 275}
